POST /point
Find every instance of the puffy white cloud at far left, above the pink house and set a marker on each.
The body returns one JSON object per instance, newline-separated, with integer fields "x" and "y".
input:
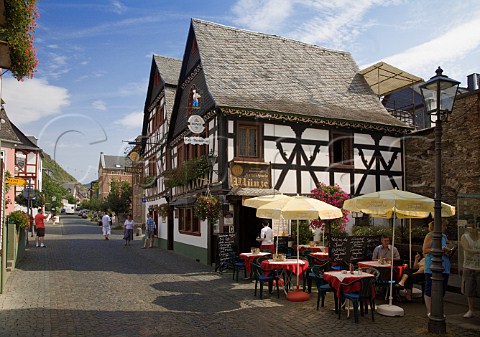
{"x": 32, "y": 99}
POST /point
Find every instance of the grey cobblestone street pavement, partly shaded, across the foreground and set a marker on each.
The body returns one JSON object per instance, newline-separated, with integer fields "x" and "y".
{"x": 81, "y": 285}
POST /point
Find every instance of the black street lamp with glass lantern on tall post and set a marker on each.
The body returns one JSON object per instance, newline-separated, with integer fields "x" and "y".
{"x": 439, "y": 95}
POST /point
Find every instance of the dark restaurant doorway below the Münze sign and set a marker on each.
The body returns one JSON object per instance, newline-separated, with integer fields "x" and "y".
{"x": 249, "y": 228}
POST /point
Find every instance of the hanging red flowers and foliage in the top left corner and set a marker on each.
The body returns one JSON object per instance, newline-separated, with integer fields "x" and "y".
{"x": 17, "y": 25}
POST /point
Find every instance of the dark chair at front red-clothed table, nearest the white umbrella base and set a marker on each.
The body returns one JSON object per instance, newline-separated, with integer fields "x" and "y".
{"x": 361, "y": 297}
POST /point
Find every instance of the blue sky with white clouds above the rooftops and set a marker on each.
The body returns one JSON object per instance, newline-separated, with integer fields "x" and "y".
{"x": 89, "y": 90}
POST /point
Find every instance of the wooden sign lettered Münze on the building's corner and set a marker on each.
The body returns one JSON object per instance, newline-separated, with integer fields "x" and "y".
{"x": 249, "y": 174}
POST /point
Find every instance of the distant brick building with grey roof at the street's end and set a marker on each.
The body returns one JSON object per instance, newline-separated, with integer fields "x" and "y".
{"x": 111, "y": 168}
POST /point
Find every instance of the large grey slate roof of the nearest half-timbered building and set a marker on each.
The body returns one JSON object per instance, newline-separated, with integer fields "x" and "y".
{"x": 255, "y": 71}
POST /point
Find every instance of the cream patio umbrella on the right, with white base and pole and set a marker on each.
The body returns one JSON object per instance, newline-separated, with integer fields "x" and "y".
{"x": 395, "y": 204}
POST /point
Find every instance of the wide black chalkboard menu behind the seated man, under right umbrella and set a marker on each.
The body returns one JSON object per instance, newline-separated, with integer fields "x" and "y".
{"x": 352, "y": 248}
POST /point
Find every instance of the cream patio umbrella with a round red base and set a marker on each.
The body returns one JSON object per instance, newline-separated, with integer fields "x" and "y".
{"x": 298, "y": 208}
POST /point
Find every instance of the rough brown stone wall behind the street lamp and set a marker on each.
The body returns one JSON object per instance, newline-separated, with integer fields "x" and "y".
{"x": 460, "y": 153}
